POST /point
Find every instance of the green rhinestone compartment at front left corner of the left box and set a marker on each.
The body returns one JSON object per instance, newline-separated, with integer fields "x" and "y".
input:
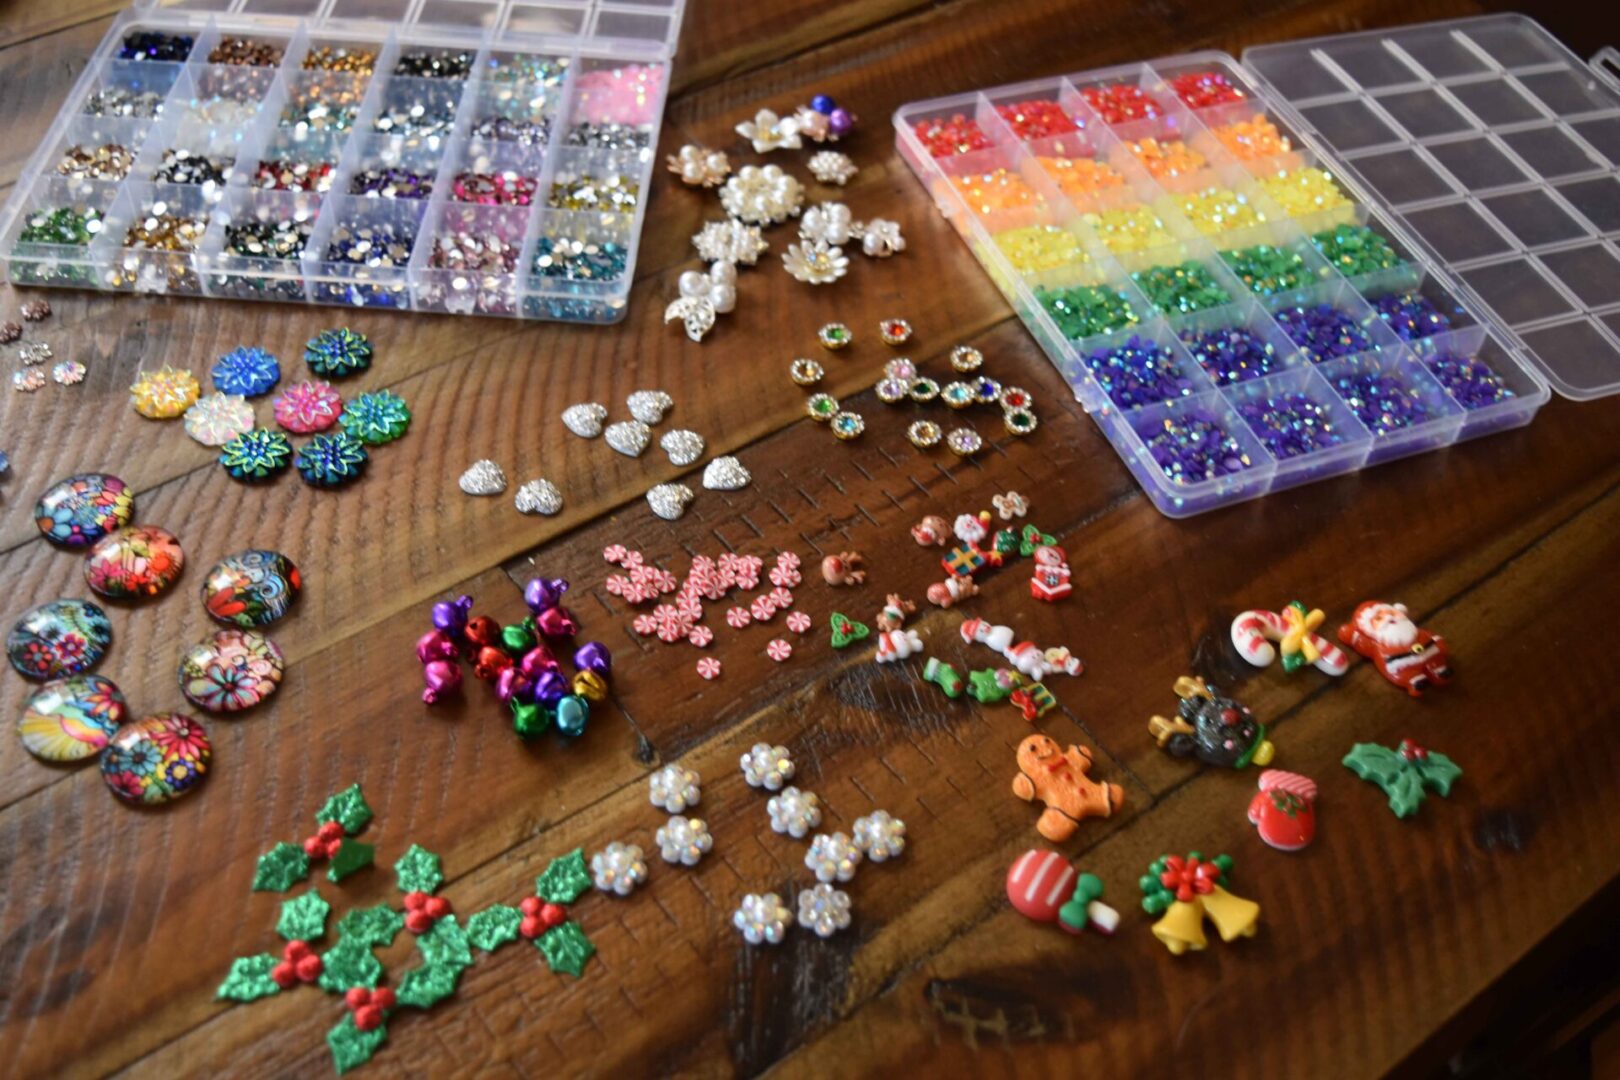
{"x": 51, "y": 239}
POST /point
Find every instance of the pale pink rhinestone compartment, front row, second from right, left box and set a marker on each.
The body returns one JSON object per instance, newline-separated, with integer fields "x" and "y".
{"x": 471, "y": 263}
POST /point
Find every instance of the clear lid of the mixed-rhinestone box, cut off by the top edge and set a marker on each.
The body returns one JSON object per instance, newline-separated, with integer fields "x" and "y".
{"x": 633, "y": 30}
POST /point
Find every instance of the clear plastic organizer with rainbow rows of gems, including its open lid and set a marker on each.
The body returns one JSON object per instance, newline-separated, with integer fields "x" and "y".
{"x": 1146, "y": 213}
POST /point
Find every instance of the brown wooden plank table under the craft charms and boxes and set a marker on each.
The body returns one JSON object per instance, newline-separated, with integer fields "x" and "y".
{"x": 1388, "y": 945}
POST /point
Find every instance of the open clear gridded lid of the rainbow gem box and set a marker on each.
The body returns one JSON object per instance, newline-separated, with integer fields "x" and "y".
{"x": 1499, "y": 150}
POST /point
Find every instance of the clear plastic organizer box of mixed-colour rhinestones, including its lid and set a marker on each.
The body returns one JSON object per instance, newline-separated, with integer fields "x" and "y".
{"x": 458, "y": 156}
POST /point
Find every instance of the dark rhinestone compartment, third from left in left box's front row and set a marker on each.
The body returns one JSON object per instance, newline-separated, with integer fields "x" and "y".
{"x": 257, "y": 245}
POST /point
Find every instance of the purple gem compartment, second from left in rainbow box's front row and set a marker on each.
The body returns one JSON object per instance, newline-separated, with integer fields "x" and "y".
{"x": 1303, "y": 425}
